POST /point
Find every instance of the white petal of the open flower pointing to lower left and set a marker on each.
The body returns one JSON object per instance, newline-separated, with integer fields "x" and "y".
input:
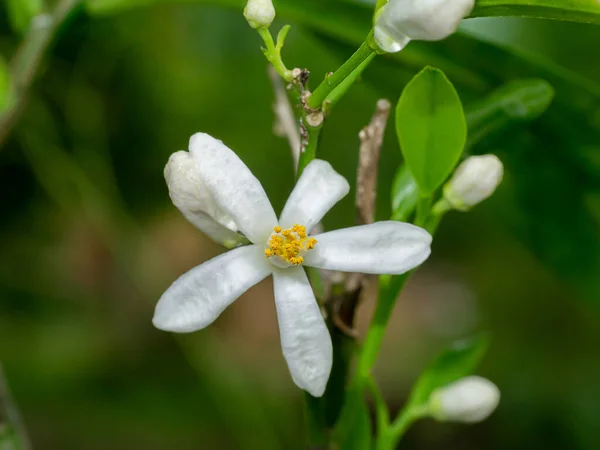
{"x": 197, "y": 298}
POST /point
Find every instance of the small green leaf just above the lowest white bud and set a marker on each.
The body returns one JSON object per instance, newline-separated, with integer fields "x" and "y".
{"x": 457, "y": 361}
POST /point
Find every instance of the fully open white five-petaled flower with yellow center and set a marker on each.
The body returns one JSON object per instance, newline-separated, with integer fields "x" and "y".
{"x": 213, "y": 184}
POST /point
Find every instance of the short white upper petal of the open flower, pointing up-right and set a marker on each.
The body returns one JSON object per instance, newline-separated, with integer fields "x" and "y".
{"x": 318, "y": 189}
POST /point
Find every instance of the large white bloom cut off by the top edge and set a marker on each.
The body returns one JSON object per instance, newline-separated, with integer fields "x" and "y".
{"x": 400, "y": 21}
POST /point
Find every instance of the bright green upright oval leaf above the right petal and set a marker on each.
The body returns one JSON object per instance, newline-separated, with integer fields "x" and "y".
{"x": 431, "y": 128}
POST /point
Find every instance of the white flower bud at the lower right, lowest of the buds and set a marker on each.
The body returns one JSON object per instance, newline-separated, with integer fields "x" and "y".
{"x": 469, "y": 400}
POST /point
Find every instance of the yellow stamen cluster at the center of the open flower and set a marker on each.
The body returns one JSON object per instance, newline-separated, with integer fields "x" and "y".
{"x": 286, "y": 247}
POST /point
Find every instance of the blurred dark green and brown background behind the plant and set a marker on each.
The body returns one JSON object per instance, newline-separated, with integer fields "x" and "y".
{"x": 89, "y": 238}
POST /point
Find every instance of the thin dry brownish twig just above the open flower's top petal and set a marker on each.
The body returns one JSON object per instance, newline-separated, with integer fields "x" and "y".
{"x": 286, "y": 124}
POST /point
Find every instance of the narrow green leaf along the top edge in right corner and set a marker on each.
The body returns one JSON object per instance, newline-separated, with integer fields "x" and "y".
{"x": 587, "y": 11}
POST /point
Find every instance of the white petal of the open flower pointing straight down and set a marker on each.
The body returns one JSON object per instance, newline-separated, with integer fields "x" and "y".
{"x": 305, "y": 339}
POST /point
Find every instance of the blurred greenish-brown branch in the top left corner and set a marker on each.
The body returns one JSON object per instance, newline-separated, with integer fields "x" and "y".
{"x": 27, "y": 60}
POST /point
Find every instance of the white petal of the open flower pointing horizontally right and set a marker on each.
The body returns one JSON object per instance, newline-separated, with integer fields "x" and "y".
{"x": 382, "y": 247}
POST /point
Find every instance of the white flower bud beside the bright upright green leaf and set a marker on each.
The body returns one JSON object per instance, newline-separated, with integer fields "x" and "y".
{"x": 475, "y": 179}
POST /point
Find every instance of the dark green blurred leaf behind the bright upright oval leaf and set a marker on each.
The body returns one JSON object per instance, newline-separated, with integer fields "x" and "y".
{"x": 516, "y": 101}
